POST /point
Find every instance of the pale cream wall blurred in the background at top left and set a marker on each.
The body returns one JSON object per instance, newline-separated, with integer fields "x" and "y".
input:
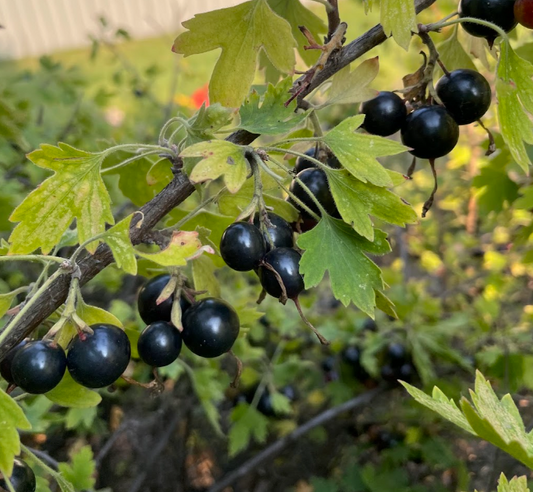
{"x": 35, "y": 27}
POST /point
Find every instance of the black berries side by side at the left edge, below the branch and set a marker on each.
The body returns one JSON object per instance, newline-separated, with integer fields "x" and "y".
{"x": 94, "y": 360}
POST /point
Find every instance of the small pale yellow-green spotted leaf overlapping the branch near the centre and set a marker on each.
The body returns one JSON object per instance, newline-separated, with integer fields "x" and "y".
{"x": 220, "y": 157}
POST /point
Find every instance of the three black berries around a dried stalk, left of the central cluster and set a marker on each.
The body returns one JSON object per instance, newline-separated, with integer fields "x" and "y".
{"x": 210, "y": 326}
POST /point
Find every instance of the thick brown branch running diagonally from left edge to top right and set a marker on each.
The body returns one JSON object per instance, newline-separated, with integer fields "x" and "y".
{"x": 174, "y": 194}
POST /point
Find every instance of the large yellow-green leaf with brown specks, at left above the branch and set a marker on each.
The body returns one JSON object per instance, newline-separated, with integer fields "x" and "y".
{"x": 75, "y": 191}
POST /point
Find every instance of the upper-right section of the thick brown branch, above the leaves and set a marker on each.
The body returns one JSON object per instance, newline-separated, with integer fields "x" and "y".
{"x": 354, "y": 50}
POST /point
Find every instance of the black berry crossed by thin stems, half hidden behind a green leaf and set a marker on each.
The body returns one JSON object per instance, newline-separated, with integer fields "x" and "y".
{"x": 317, "y": 182}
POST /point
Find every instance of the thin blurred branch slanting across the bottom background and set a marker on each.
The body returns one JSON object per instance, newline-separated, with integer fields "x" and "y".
{"x": 277, "y": 447}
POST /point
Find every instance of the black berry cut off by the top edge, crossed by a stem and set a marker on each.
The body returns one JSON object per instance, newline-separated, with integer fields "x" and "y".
{"x": 499, "y": 12}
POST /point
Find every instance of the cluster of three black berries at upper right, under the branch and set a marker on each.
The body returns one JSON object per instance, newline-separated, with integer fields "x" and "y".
{"x": 431, "y": 131}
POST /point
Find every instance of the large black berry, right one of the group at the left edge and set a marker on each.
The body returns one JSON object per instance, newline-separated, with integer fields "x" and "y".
{"x": 98, "y": 360}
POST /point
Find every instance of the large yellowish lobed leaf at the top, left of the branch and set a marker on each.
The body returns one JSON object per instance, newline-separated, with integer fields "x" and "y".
{"x": 241, "y": 32}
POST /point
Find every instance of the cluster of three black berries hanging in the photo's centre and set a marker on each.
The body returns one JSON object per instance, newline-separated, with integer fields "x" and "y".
{"x": 268, "y": 249}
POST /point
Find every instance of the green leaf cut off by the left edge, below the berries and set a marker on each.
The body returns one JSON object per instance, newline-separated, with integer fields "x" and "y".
{"x": 11, "y": 418}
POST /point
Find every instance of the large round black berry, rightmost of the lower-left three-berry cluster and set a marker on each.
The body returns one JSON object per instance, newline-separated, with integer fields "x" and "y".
{"x": 210, "y": 327}
